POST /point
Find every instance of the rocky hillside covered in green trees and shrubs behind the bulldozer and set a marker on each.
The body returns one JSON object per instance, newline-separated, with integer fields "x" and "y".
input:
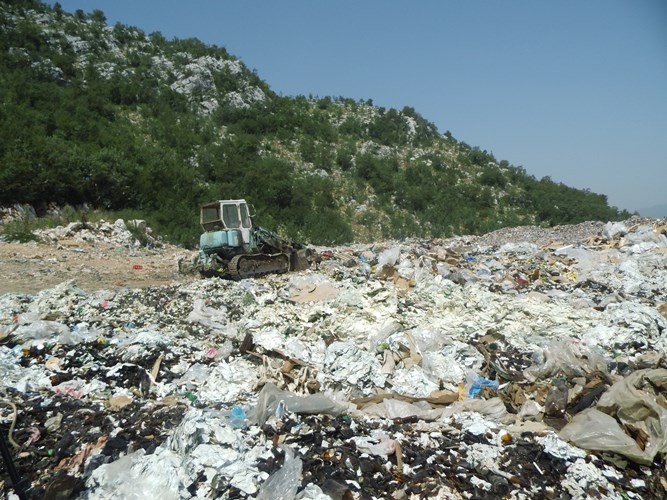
{"x": 111, "y": 118}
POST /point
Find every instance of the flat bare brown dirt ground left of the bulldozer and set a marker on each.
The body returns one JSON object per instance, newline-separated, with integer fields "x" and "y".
{"x": 31, "y": 267}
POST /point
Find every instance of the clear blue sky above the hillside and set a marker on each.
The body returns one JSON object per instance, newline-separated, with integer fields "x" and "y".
{"x": 572, "y": 89}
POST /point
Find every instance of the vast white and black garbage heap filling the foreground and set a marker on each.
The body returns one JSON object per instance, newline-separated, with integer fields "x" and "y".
{"x": 527, "y": 363}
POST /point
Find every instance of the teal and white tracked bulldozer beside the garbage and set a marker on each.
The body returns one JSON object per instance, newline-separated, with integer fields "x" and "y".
{"x": 232, "y": 247}
